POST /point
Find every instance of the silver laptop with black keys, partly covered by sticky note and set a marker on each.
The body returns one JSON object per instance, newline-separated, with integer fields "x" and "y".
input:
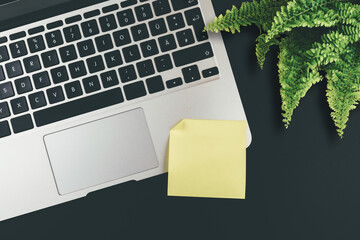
{"x": 88, "y": 97}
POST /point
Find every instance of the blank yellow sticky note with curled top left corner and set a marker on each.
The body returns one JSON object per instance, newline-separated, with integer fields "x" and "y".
{"x": 207, "y": 158}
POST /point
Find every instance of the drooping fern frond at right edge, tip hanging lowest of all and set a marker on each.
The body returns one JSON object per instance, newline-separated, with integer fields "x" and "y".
{"x": 343, "y": 91}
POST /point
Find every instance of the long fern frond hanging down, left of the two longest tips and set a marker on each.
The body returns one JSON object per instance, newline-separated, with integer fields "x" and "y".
{"x": 296, "y": 77}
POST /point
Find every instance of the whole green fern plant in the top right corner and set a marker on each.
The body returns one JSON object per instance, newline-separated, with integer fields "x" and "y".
{"x": 318, "y": 39}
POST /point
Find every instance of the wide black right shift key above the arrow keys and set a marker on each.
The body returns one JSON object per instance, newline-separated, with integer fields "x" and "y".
{"x": 193, "y": 54}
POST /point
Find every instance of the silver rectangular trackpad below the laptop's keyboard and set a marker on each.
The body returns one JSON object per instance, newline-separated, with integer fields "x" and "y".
{"x": 101, "y": 151}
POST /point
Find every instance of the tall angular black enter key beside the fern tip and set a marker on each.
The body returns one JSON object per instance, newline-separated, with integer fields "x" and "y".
{"x": 194, "y": 18}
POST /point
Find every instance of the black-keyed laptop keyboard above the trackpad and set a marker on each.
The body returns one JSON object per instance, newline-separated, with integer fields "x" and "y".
{"x": 125, "y": 52}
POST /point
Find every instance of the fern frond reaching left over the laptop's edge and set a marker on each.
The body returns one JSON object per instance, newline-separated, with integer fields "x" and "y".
{"x": 259, "y": 13}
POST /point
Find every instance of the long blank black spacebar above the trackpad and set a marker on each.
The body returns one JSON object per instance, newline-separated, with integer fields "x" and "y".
{"x": 78, "y": 107}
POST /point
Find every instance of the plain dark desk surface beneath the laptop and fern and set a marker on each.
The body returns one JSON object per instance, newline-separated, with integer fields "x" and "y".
{"x": 302, "y": 183}
